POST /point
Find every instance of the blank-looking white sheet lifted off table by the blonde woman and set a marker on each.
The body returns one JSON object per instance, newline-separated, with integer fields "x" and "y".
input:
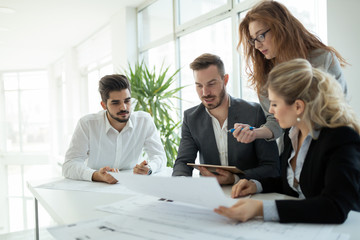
{"x": 203, "y": 191}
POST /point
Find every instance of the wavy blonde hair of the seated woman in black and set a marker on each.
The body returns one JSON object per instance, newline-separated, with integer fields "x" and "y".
{"x": 325, "y": 104}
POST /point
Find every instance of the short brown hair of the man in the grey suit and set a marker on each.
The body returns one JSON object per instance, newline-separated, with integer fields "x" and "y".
{"x": 207, "y": 59}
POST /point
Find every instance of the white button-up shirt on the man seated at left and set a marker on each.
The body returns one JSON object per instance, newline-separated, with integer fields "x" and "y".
{"x": 96, "y": 144}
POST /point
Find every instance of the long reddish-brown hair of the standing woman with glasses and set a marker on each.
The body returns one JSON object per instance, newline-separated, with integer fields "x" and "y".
{"x": 290, "y": 39}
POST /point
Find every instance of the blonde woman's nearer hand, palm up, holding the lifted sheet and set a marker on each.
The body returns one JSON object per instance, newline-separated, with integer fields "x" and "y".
{"x": 243, "y": 210}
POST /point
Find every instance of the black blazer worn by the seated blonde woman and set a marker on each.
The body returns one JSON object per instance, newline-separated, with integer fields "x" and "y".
{"x": 329, "y": 180}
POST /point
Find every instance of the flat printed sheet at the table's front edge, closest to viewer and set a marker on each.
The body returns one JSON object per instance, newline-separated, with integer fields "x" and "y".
{"x": 128, "y": 227}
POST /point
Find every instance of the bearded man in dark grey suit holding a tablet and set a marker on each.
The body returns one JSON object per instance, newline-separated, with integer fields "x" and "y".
{"x": 205, "y": 129}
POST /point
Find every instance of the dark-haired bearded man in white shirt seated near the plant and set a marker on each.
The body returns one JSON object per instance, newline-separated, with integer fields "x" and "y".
{"x": 114, "y": 138}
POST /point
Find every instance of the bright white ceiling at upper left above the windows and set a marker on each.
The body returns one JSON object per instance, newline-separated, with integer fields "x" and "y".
{"x": 40, "y": 31}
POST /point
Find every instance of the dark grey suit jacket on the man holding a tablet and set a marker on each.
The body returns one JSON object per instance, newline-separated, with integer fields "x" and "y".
{"x": 258, "y": 159}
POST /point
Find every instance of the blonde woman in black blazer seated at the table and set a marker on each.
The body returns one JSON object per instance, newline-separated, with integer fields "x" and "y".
{"x": 321, "y": 158}
